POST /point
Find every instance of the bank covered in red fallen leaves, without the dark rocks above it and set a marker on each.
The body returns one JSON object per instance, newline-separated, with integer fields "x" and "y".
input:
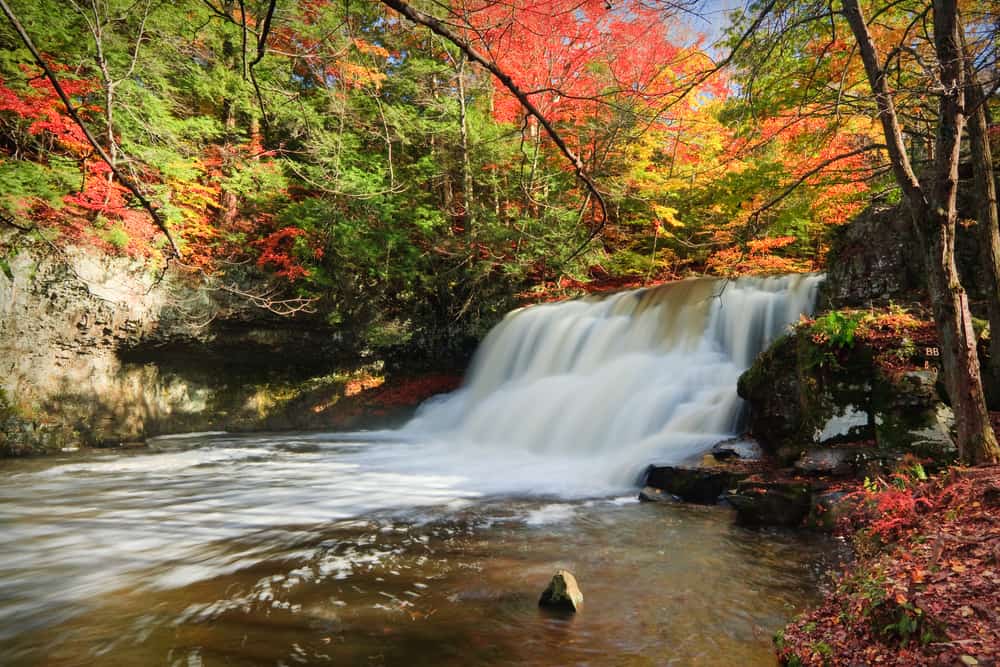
{"x": 924, "y": 588}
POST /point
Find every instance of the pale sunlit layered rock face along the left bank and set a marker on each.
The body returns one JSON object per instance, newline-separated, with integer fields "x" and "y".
{"x": 102, "y": 351}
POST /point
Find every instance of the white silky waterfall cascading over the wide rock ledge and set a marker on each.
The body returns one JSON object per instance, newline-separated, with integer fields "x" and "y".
{"x": 619, "y": 381}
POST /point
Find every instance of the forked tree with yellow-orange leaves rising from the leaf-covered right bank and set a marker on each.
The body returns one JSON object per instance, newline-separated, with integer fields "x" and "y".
{"x": 910, "y": 55}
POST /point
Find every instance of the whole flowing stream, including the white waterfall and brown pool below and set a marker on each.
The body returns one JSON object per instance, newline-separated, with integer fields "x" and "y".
{"x": 430, "y": 545}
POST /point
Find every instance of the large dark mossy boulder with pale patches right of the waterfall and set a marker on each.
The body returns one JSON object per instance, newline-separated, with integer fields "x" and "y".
{"x": 807, "y": 400}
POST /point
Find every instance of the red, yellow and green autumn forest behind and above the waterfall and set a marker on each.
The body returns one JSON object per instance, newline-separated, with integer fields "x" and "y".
{"x": 366, "y": 164}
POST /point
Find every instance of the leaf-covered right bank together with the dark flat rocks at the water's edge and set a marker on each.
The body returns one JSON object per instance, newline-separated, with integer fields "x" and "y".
{"x": 921, "y": 583}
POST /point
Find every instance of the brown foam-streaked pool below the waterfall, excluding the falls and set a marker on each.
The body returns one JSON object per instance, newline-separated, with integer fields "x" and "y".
{"x": 216, "y": 552}
